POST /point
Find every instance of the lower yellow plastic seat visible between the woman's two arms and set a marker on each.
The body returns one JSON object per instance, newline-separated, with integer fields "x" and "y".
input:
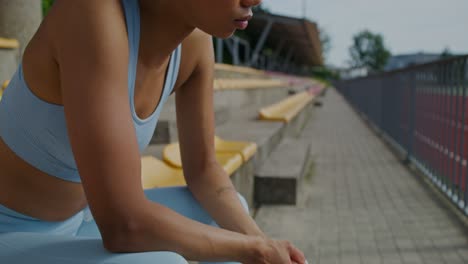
{"x": 156, "y": 173}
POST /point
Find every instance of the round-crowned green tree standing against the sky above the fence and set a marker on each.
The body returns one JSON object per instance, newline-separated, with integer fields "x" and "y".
{"x": 369, "y": 51}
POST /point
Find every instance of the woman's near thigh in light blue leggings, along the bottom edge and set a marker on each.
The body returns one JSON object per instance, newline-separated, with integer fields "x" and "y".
{"x": 35, "y": 248}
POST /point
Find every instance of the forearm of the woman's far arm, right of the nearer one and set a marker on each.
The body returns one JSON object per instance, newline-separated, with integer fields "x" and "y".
{"x": 218, "y": 196}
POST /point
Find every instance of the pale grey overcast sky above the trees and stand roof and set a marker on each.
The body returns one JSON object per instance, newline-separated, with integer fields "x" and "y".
{"x": 407, "y": 25}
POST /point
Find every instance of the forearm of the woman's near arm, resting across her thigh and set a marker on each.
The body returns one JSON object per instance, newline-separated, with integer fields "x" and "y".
{"x": 158, "y": 228}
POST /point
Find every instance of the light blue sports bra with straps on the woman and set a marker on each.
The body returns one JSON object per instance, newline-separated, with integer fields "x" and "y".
{"x": 36, "y": 131}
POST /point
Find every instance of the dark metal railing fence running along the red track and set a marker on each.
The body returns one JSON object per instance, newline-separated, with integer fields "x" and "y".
{"x": 423, "y": 111}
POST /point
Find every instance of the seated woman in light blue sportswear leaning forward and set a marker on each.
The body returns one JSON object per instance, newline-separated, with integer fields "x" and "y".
{"x": 80, "y": 109}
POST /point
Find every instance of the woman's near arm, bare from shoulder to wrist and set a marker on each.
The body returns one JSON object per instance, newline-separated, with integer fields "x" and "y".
{"x": 92, "y": 53}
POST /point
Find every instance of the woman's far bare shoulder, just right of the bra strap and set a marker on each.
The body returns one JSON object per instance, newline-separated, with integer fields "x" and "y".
{"x": 197, "y": 52}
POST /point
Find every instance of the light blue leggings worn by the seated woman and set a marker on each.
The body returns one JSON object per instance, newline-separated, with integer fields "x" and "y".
{"x": 84, "y": 245}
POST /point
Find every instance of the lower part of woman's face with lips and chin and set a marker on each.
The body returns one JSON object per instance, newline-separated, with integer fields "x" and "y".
{"x": 219, "y": 18}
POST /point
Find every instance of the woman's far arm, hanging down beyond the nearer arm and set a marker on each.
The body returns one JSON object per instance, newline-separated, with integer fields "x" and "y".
{"x": 206, "y": 179}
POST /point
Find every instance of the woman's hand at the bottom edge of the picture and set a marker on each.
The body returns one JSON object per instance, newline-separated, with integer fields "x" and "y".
{"x": 272, "y": 251}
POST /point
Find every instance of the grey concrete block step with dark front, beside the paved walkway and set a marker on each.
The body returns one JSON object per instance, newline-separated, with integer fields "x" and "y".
{"x": 277, "y": 180}
